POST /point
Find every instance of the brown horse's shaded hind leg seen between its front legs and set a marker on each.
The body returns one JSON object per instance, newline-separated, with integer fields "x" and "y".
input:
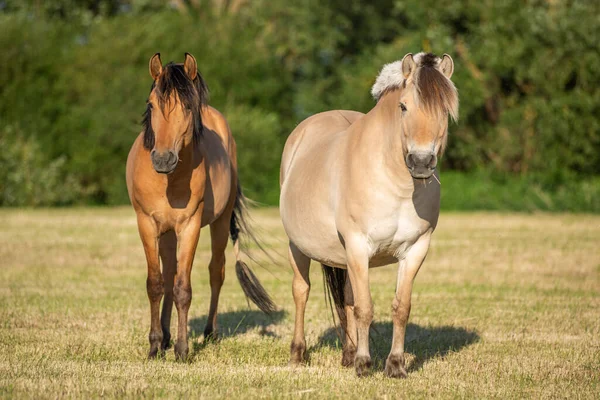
{"x": 168, "y": 256}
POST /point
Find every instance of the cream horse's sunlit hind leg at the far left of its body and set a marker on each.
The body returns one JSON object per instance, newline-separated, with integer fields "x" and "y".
{"x": 300, "y": 289}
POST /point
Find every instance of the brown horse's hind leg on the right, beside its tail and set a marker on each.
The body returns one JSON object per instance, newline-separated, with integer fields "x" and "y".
{"x": 219, "y": 233}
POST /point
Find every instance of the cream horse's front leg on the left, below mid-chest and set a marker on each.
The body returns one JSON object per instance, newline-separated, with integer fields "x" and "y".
{"x": 357, "y": 254}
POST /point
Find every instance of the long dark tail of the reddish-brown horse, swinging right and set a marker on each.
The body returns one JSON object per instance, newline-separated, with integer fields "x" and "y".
{"x": 249, "y": 282}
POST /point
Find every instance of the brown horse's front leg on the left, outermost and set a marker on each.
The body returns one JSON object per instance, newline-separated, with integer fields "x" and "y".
{"x": 154, "y": 283}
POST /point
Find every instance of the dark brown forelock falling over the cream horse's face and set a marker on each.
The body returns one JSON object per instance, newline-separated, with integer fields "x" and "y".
{"x": 436, "y": 92}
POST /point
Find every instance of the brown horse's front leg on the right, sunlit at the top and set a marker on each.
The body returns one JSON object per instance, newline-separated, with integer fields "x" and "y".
{"x": 187, "y": 236}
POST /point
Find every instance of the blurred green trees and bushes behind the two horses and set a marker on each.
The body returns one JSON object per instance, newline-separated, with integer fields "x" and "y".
{"x": 73, "y": 79}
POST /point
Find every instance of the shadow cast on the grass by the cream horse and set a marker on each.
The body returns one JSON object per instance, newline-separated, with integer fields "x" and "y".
{"x": 424, "y": 342}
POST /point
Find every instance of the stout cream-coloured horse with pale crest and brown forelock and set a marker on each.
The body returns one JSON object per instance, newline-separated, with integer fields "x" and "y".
{"x": 360, "y": 191}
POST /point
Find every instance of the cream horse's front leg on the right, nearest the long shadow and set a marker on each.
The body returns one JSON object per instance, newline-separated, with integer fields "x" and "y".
{"x": 407, "y": 270}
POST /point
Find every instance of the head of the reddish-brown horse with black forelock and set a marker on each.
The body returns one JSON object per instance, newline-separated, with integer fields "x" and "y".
{"x": 173, "y": 114}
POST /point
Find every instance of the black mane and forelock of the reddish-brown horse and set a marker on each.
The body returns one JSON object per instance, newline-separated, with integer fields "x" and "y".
{"x": 193, "y": 95}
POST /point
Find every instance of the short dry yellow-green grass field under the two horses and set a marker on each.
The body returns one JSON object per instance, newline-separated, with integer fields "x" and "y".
{"x": 506, "y": 306}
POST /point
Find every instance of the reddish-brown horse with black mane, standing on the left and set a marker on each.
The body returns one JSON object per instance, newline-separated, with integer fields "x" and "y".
{"x": 181, "y": 176}
